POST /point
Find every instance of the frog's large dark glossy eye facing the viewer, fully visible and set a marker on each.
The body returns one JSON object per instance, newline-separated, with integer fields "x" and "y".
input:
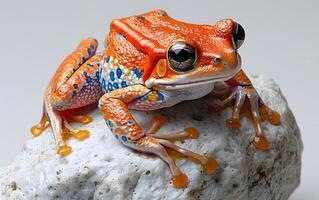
{"x": 181, "y": 57}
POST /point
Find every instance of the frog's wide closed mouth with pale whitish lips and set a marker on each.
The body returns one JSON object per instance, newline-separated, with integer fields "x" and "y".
{"x": 190, "y": 80}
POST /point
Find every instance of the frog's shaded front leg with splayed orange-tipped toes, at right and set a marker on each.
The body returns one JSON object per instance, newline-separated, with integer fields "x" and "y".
{"x": 245, "y": 100}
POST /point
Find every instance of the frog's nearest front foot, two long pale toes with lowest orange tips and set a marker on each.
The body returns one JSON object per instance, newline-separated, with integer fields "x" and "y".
{"x": 168, "y": 152}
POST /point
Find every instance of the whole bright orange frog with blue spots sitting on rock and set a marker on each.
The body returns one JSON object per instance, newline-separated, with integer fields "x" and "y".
{"x": 152, "y": 61}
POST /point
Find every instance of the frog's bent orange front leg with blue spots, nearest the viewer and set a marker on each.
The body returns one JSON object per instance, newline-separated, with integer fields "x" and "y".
{"x": 115, "y": 105}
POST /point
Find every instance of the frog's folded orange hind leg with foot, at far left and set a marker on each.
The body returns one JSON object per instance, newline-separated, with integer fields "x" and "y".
{"x": 75, "y": 85}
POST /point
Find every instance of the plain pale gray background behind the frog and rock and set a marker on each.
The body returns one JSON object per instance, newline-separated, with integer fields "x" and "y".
{"x": 282, "y": 42}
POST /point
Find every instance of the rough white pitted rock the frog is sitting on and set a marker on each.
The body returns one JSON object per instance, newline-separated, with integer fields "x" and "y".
{"x": 101, "y": 168}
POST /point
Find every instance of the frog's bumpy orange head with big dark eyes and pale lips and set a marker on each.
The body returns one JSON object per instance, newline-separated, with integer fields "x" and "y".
{"x": 208, "y": 53}
